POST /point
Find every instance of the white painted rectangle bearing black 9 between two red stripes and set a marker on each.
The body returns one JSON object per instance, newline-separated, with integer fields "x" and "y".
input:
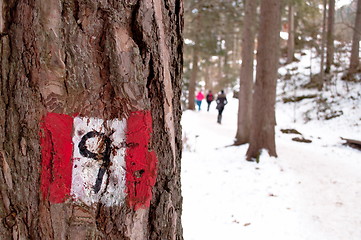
{"x": 98, "y": 173}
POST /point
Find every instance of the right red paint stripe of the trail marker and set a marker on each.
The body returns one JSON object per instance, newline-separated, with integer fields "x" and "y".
{"x": 141, "y": 164}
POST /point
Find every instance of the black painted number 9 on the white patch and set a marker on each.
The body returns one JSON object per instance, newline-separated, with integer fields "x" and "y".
{"x": 104, "y": 142}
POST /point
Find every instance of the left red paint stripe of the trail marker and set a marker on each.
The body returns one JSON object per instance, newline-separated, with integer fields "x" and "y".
{"x": 56, "y": 151}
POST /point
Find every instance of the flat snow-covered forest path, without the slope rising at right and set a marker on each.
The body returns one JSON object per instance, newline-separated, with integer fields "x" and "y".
{"x": 311, "y": 191}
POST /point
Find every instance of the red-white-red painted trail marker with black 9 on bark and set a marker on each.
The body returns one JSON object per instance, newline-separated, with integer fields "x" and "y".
{"x": 91, "y": 160}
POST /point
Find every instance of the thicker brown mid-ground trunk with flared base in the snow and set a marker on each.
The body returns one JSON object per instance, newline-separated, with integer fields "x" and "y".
{"x": 264, "y": 97}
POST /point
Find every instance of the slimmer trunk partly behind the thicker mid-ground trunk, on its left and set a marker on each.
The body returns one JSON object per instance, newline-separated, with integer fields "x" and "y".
{"x": 246, "y": 76}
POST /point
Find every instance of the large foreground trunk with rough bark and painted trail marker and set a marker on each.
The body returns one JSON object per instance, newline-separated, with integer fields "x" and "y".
{"x": 90, "y": 139}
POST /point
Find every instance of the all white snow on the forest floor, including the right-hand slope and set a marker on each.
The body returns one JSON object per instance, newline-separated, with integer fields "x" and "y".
{"x": 310, "y": 191}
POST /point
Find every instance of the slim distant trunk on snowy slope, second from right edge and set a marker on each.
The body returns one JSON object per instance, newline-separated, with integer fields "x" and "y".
{"x": 330, "y": 35}
